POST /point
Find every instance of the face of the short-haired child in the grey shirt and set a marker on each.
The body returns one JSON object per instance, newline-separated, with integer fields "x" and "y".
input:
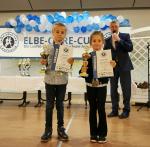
{"x": 59, "y": 33}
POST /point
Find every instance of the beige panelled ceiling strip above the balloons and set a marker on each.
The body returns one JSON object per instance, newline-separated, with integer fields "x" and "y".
{"x": 69, "y": 5}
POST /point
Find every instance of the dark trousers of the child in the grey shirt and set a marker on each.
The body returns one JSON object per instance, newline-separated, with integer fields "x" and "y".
{"x": 53, "y": 91}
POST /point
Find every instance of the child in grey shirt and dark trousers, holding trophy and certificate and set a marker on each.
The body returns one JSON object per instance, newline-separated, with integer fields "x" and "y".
{"x": 55, "y": 85}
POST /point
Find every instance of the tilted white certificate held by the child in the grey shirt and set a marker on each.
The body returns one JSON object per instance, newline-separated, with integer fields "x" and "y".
{"x": 64, "y": 54}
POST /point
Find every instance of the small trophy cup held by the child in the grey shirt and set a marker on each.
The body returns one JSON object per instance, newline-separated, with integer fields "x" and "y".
{"x": 44, "y": 55}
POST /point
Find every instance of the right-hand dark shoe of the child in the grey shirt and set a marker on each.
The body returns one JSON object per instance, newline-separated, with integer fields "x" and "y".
{"x": 62, "y": 134}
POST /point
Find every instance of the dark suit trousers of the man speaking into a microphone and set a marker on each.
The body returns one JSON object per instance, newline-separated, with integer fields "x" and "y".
{"x": 125, "y": 81}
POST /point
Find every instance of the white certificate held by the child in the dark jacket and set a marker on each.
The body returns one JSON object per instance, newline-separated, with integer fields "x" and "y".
{"x": 104, "y": 68}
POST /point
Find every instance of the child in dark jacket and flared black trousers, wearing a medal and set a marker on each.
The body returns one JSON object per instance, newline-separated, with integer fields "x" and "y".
{"x": 96, "y": 93}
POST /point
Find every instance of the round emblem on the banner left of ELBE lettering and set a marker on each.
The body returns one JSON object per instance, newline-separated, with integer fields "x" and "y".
{"x": 8, "y": 42}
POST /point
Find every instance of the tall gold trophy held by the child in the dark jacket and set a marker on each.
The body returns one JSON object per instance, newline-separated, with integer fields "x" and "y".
{"x": 85, "y": 62}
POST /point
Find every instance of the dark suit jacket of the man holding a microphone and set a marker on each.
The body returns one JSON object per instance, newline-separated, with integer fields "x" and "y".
{"x": 120, "y": 53}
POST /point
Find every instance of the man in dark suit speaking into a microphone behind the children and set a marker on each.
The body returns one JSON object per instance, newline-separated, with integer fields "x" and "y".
{"x": 120, "y": 45}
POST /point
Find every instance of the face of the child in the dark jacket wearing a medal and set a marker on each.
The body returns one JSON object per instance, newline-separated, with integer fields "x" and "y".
{"x": 97, "y": 42}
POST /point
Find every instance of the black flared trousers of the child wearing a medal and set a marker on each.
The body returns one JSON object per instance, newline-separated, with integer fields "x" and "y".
{"x": 97, "y": 99}
